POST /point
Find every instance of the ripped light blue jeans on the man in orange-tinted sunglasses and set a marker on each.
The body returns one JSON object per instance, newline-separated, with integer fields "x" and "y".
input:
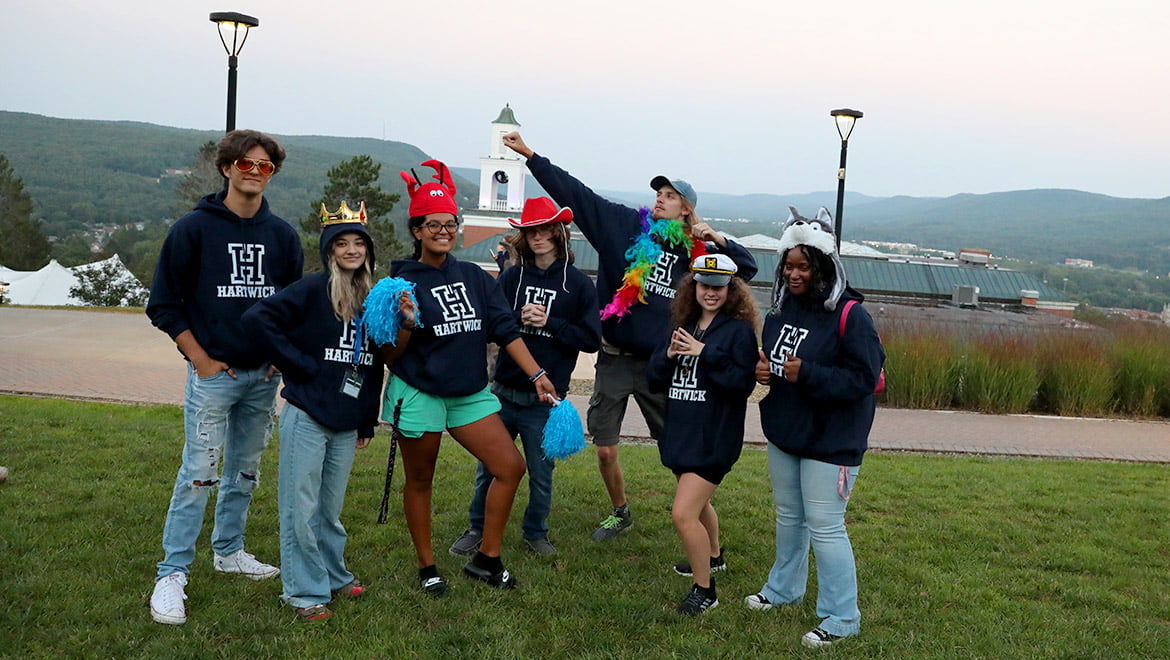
{"x": 228, "y": 421}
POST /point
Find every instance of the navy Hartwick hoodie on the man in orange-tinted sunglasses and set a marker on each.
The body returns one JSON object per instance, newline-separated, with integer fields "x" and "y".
{"x": 214, "y": 267}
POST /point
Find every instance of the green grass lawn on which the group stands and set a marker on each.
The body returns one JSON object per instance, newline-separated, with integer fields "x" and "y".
{"x": 958, "y": 558}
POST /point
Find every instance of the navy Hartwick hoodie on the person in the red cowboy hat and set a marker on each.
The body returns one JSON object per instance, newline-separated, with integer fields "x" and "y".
{"x": 573, "y": 328}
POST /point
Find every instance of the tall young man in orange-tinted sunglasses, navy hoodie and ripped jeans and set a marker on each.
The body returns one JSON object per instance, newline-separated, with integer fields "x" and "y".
{"x": 217, "y": 263}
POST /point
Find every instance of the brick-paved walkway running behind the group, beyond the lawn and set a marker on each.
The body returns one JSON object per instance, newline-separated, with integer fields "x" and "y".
{"x": 120, "y": 357}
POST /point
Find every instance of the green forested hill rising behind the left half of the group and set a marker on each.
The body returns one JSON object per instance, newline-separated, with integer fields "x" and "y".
{"x": 87, "y": 174}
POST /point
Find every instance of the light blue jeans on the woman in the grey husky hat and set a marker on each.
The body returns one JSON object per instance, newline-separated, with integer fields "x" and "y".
{"x": 810, "y": 506}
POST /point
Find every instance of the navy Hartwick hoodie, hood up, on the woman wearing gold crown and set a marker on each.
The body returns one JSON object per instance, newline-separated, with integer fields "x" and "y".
{"x": 315, "y": 352}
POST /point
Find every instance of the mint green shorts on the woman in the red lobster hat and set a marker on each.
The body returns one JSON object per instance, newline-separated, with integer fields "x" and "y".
{"x": 423, "y": 414}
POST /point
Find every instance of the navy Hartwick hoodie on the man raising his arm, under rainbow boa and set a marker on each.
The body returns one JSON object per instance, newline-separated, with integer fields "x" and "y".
{"x": 611, "y": 229}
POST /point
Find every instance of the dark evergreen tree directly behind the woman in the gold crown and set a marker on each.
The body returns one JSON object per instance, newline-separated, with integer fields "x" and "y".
{"x": 354, "y": 182}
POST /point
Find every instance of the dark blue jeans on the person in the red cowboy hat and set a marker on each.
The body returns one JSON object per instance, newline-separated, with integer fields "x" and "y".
{"x": 527, "y": 421}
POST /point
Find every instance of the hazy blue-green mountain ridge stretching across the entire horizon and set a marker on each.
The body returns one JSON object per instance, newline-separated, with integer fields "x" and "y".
{"x": 84, "y": 174}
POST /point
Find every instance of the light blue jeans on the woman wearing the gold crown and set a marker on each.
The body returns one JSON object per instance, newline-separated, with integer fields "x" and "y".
{"x": 315, "y": 471}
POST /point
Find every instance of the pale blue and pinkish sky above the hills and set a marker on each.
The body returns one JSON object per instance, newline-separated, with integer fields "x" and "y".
{"x": 734, "y": 97}
